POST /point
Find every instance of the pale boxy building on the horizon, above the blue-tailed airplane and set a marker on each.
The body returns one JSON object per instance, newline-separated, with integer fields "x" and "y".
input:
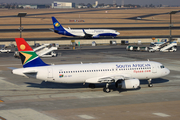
{"x": 57, "y": 4}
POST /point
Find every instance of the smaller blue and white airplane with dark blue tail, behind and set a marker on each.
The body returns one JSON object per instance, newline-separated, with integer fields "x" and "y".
{"x": 86, "y": 33}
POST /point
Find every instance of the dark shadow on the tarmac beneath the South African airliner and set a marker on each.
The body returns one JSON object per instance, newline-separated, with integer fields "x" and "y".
{"x": 53, "y": 85}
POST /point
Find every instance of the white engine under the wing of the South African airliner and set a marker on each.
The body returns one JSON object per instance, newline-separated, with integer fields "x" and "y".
{"x": 128, "y": 84}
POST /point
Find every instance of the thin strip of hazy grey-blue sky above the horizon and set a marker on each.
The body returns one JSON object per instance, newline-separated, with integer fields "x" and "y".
{"x": 139, "y": 2}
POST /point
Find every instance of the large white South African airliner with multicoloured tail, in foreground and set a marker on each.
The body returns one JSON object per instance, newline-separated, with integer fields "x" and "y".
{"x": 125, "y": 75}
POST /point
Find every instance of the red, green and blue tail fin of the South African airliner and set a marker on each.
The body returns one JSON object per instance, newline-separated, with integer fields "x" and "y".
{"x": 28, "y": 57}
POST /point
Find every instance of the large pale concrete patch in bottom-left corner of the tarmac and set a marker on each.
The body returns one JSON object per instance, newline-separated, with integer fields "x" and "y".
{"x": 24, "y": 114}
